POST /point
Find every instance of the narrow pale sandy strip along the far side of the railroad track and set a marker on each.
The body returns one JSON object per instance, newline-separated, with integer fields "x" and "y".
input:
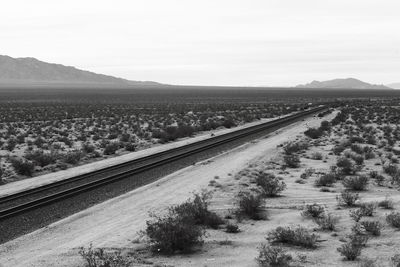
{"x": 21, "y": 185}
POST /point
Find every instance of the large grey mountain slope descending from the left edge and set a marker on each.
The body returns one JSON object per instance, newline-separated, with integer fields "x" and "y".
{"x": 33, "y": 71}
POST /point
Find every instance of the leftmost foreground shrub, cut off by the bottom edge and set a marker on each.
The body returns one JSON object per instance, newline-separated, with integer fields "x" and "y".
{"x": 100, "y": 258}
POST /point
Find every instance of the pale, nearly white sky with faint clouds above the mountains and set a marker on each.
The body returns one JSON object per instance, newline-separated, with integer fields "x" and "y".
{"x": 210, "y": 42}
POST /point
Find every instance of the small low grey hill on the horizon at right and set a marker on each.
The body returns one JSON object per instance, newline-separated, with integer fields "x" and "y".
{"x": 349, "y": 83}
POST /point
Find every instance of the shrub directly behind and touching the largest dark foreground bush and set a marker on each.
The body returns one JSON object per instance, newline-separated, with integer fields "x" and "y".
{"x": 197, "y": 209}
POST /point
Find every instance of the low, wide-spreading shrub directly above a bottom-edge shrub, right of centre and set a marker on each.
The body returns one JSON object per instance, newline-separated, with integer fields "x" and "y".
{"x": 298, "y": 236}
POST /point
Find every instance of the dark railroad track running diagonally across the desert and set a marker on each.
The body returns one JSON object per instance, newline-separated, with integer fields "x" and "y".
{"x": 25, "y": 201}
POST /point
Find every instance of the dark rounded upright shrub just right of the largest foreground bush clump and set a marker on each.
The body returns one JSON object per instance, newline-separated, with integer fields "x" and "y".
{"x": 250, "y": 205}
